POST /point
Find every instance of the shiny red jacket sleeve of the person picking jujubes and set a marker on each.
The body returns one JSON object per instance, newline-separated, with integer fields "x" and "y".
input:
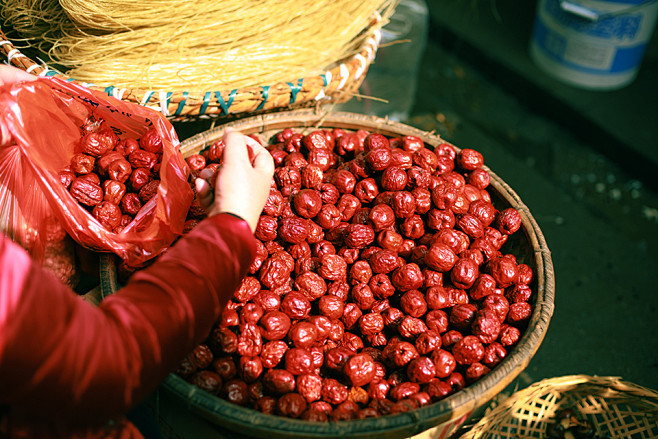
{"x": 71, "y": 370}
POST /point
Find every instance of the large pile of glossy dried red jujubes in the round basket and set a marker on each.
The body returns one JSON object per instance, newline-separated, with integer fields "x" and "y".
{"x": 379, "y": 284}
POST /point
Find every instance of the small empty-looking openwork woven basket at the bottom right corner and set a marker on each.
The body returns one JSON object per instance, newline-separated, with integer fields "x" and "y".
{"x": 616, "y": 408}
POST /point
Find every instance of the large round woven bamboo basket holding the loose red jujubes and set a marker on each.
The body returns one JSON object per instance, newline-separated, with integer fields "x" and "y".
{"x": 440, "y": 419}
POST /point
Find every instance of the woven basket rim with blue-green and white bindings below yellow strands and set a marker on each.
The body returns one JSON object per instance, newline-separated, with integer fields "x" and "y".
{"x": 336, "y": 85}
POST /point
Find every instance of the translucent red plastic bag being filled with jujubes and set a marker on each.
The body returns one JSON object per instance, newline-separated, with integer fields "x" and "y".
{"x": 46, "y": 118}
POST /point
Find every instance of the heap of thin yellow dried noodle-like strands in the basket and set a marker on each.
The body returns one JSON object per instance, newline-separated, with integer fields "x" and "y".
{"x": 177, "y": 45}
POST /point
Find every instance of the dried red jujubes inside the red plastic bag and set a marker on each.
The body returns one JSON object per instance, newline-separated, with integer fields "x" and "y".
{"x": 113, "y": 178}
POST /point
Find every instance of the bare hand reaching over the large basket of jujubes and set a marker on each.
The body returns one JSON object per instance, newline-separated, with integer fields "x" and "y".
{"x": 242, "y": 184}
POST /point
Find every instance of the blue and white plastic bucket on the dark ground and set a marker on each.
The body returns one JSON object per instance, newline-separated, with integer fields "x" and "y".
{"x": 592, "y": 44}
